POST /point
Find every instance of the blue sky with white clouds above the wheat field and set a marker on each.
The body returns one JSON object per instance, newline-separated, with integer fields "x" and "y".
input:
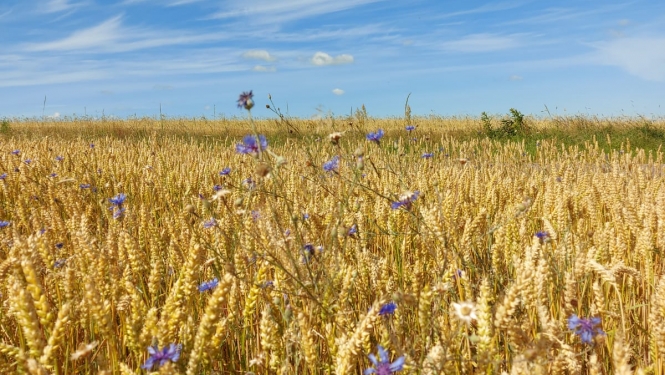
{"x": 320, "y": 57}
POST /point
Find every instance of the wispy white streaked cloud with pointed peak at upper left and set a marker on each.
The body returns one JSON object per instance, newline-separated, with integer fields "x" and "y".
{"x": 112, "y": 36}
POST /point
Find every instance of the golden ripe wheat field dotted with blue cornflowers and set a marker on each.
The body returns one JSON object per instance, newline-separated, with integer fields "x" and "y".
{"x": 178, "y": 247}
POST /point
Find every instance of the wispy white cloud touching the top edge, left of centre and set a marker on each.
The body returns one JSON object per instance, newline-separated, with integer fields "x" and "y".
{"x": 270, "y": 11}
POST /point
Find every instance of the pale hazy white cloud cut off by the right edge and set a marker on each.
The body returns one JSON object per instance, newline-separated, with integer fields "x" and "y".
{"x": 643, "y": 57}
